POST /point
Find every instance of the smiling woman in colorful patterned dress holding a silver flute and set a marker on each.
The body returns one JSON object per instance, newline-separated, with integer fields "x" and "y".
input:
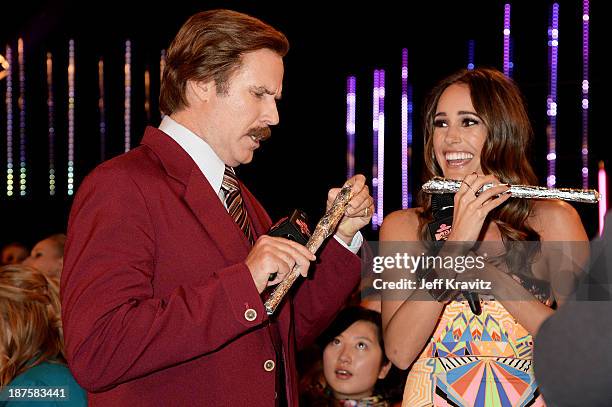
{"x": 477, "y": 131}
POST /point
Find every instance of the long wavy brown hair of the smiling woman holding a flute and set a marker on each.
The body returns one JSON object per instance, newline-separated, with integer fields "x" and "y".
{"x": 498, "y": 101}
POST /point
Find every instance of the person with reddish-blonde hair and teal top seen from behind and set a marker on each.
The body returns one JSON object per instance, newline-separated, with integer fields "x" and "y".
{"x": 31, "y": 342}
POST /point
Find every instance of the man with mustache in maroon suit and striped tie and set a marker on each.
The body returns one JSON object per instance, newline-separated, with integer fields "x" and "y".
{"x": 161, "y": 283}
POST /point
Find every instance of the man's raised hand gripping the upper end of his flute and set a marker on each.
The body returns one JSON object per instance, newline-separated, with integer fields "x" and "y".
{"x": 358, "y": 212}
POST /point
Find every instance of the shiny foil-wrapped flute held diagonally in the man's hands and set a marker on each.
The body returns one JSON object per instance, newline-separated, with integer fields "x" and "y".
{"x": 325, "y": 227}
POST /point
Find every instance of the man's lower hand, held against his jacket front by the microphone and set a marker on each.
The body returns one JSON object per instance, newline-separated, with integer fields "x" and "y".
{"x": 272, "y": 255}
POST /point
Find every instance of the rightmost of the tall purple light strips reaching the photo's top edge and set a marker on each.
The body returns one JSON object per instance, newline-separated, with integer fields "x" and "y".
{"x": 585, "y": 93}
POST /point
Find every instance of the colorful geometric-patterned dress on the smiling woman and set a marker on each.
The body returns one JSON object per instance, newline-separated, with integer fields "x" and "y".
{"x": 476, "y": 360}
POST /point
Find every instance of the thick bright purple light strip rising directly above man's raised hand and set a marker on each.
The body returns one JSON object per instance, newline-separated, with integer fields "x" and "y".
{"x": 379, "y": 149}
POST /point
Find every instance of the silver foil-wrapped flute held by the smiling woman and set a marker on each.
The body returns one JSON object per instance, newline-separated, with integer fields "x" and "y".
{"x": 440, "y": 185}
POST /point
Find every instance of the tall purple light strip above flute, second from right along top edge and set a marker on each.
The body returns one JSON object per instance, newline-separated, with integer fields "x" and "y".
{"x": 551, "y": 108}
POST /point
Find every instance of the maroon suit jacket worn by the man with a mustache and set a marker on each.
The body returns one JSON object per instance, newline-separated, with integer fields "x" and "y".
{"x": 155, "y": 289}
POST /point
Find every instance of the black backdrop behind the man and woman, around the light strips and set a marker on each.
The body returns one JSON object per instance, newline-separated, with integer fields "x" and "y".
{"x": 306, "y": 155}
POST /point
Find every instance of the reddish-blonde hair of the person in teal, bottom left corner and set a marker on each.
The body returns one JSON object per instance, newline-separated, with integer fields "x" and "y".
{"x": 30, "y": 322}
